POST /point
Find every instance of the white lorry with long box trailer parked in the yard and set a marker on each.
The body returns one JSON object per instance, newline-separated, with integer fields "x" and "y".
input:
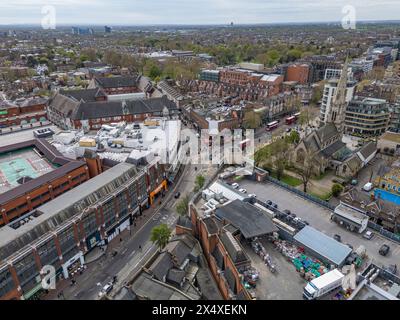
{"x": 323, "y": 284}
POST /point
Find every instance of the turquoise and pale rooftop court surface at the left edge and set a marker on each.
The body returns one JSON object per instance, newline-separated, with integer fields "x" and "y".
{"x": 25, "y": 164}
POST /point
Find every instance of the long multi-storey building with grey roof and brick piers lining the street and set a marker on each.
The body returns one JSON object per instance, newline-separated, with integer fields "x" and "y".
{"x": 62, "y": 231}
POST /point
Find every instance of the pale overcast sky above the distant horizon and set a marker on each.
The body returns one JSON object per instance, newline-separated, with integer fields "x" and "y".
{"x": 149, "y": 12}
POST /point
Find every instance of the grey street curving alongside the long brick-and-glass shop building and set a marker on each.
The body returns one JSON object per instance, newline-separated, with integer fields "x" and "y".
{"x": 129, "y": 258}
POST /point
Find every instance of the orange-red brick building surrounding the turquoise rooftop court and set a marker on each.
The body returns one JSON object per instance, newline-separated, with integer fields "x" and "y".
{"x": 30, "y": 192}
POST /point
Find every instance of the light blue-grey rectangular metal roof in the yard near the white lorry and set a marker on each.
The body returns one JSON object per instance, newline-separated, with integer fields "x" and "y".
{"x": 323, "y": 245}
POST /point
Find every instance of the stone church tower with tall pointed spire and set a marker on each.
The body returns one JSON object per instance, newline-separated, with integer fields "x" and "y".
{"x": 339, "y": 104}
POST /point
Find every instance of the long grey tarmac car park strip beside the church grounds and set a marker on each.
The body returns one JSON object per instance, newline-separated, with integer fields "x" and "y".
{"x": 319, "y": 218}
